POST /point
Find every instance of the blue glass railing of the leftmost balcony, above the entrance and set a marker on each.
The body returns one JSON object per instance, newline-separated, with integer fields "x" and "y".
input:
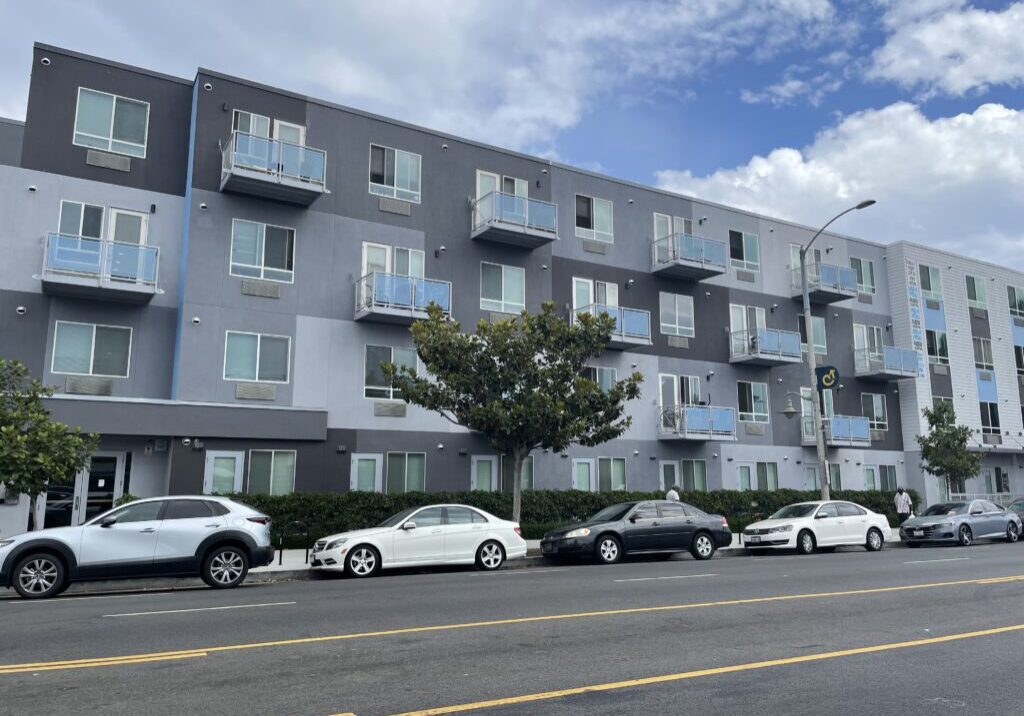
{"x": 104, "y": 261}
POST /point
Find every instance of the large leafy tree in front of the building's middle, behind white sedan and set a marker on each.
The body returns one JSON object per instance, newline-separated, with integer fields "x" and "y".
{"x": 520, "y": 383}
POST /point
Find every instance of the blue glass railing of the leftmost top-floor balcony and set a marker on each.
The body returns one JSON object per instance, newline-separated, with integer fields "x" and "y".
{"x": 278, "y": 160}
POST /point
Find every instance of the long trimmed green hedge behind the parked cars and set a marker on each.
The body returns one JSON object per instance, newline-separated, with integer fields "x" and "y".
{"x": 325, "y": 514}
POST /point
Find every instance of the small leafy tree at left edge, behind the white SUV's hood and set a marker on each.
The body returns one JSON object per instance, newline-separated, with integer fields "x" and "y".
{"x": 35, "y": 449}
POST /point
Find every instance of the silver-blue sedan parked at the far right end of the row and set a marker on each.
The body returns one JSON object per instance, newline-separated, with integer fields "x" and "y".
{"x": 962, "y": 523}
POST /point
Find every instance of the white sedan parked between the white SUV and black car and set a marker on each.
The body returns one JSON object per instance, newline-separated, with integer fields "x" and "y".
{"x": 423, "y": 537}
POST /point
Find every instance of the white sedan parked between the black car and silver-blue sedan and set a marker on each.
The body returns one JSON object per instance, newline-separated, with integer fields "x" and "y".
{"x": 810, "y": 526}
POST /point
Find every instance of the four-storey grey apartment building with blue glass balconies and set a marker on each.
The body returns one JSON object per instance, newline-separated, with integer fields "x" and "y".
{"x": 210, "y": 272}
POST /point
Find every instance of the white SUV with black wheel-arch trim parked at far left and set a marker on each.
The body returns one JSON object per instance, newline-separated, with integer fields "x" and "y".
{"x": 209, "y": 537}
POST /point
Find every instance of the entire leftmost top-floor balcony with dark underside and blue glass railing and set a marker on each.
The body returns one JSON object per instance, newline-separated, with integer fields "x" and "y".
{"x": 273, "y": 170}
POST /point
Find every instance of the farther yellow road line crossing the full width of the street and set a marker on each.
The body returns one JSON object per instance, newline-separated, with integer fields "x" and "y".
{"x": 113, "y": 661}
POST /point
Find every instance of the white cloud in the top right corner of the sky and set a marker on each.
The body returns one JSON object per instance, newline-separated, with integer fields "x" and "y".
{"x": 945, "y": 48}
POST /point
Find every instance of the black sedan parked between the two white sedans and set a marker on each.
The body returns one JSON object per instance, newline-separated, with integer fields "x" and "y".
{"x": 641, "y": 528}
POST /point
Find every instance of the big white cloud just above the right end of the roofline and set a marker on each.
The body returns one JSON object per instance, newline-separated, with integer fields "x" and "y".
{"x": 955, "y": 183}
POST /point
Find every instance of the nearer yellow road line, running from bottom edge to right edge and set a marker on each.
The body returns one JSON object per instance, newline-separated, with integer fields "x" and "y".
{"x": 666, "y": 679}
